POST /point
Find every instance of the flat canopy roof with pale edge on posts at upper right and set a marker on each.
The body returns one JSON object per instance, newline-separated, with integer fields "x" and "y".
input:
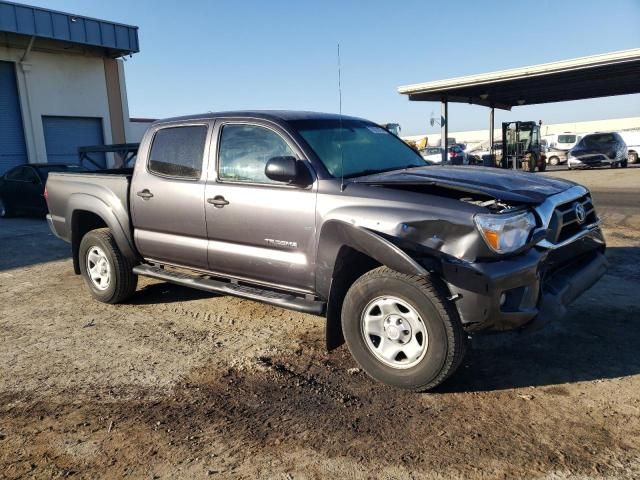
{"x": 615, "y": 73}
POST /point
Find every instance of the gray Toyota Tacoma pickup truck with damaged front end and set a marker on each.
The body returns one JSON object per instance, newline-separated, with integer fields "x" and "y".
{"x": 334, "y": 216}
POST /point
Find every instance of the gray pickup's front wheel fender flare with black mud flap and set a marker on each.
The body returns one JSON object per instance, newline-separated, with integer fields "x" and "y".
{"x": 336, "y": 234}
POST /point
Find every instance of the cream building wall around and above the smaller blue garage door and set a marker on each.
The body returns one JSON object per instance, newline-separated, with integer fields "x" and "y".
{"x": 58, "y": 84}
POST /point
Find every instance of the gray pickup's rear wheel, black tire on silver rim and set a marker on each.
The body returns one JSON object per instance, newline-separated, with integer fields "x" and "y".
{"x": 107, "y": 273}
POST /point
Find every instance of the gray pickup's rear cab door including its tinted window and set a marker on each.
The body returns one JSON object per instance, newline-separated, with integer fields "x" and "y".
{"x": 167, "y": 195}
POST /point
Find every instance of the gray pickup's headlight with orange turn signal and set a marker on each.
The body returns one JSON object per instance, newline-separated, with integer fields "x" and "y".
{"x": 505, "y": 233}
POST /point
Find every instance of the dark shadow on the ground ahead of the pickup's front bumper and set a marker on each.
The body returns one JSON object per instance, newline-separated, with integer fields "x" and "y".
{"x": 598, "y": 339}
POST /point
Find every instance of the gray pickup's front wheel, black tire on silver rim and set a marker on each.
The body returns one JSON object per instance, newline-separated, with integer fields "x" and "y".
{"x": 393, "y": 304}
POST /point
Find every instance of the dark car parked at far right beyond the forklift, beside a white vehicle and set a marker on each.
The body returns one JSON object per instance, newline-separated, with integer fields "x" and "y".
{"x": 599, "y": 150}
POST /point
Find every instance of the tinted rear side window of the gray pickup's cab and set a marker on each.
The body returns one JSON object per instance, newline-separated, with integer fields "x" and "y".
{"x": 178, "y": 151}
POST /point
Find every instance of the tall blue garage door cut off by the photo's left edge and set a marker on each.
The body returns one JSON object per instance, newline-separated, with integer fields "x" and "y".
{"x": 12, "y": 148}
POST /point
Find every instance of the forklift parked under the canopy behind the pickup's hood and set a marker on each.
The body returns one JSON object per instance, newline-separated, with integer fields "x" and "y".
{"x": 521, "y": 148}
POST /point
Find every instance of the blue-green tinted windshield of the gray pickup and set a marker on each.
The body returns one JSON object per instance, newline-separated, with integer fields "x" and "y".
{"x": 360, "y": 147}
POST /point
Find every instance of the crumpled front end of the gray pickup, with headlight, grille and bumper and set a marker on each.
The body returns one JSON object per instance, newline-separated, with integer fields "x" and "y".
{"x": 509, "y": 264}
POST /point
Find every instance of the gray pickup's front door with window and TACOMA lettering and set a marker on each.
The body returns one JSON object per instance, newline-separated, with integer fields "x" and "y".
{"x": 258, "y": 229}
